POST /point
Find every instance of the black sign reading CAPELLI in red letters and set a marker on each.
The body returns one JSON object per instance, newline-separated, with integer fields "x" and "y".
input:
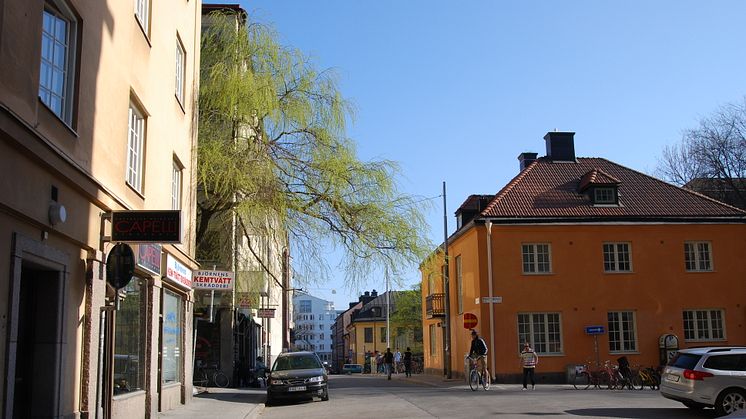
{"x": 146, "y": 226}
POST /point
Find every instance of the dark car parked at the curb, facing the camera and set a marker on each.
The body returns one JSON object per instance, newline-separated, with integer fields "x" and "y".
{"x": 297, "y": 375}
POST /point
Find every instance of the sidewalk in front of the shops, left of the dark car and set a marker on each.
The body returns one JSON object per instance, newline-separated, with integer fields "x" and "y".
{"x": 231, "y": 403}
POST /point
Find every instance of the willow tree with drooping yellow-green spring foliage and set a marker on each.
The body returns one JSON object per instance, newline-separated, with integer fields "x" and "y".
{"x": 273, "y": 146}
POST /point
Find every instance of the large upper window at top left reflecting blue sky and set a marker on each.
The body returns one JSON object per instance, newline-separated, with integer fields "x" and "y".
{"x": 58, "y": 42}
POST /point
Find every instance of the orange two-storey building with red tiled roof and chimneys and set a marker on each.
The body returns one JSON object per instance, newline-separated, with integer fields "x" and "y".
{"x": 586, "y": 260}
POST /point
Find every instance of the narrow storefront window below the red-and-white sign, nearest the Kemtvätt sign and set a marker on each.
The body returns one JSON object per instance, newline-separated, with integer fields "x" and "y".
{"x": 171, "y": 333}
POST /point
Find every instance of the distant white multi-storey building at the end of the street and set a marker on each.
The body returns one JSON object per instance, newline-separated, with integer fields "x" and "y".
{"x": 313, "y": 319}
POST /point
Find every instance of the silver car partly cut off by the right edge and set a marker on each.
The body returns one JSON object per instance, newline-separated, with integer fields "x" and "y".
{"x": 707, "y": 377}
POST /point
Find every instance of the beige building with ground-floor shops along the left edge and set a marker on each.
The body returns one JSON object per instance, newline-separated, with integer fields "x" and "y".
{"x": 97, "y": 114}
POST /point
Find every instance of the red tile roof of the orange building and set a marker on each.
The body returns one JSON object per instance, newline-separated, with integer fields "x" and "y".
{"x": 547, "y": 189}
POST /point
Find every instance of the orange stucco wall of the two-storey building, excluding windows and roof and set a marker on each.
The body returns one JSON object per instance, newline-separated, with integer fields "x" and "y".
{"x": 657, "y": 290}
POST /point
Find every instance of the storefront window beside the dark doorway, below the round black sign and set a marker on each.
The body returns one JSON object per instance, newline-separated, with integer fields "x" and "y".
{"x": 129, "y": 339}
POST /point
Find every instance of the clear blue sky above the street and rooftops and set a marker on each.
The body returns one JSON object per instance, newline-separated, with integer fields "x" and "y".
{"x": 454, "y": 91}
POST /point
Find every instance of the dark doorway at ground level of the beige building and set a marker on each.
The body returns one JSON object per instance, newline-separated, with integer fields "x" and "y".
{"x": 38, "y": 354}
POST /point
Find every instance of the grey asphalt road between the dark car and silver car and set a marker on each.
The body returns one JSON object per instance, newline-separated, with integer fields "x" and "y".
{"x": 374, "y": 397}
